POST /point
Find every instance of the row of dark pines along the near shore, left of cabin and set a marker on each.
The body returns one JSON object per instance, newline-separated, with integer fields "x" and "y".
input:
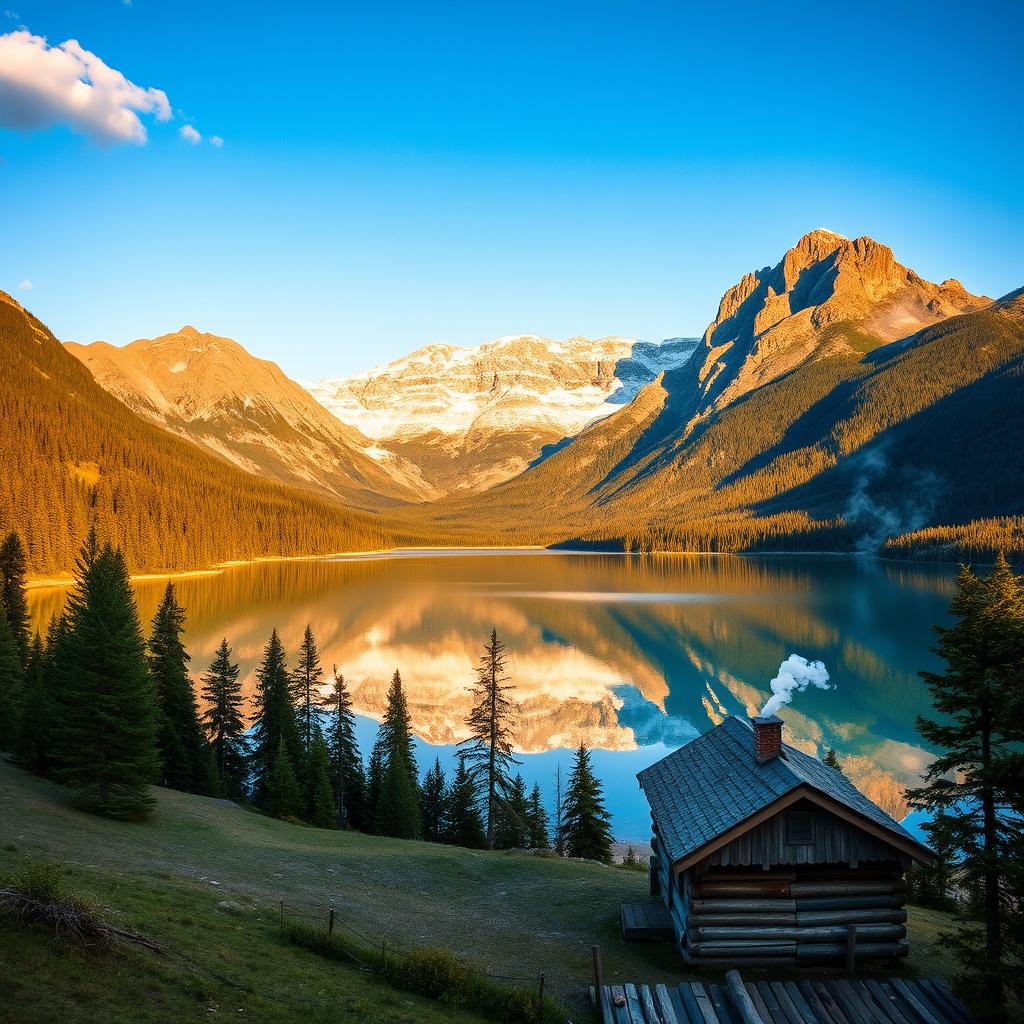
{"x": 95, "y": 705}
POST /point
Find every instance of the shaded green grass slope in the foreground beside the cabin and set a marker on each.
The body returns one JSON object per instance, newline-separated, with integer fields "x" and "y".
{"x": 508, "y": 914}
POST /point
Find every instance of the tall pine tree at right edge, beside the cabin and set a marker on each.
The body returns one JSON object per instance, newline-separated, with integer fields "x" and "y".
{"x": 974, "y": 787}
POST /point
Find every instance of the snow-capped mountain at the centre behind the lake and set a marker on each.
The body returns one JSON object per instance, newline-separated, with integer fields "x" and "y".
{"x": 471, "y": 418}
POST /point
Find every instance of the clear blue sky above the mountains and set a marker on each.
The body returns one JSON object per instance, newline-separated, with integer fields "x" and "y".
{"x": 397, "y": 175}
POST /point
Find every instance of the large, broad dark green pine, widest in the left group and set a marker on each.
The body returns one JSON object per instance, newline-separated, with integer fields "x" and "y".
{"x": 106, "y": 737}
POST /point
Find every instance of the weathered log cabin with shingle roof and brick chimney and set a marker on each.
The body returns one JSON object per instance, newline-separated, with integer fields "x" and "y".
{"x": 765, "y": 856}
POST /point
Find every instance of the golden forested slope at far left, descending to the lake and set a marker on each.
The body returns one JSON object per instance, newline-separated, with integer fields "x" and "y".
{"x": 73, "y": 455}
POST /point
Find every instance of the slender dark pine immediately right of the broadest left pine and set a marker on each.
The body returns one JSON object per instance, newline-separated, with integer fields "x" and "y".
{"x": 180, "y": 738}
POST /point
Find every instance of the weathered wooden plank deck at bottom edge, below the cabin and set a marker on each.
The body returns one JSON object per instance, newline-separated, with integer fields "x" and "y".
{"x": 830, "y": 1002}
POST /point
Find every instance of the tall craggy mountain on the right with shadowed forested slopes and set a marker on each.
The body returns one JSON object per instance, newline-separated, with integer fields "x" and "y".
{"x": 837, "y": 437}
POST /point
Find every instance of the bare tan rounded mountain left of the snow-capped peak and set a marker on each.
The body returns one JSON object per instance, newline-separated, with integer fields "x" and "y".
{"x": 212, "y": 392}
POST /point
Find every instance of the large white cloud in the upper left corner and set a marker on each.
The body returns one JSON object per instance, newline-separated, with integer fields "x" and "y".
{"x": 44, "y": 86}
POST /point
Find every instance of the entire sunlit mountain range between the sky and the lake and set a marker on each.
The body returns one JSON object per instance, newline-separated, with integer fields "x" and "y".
{"x": 837, "y": 401}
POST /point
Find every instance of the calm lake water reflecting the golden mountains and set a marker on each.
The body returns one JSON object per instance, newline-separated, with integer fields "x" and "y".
{"x": 634, "y": 655}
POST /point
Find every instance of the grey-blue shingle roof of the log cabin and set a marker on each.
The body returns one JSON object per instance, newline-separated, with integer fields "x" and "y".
{"x": 713, "y": 784}
